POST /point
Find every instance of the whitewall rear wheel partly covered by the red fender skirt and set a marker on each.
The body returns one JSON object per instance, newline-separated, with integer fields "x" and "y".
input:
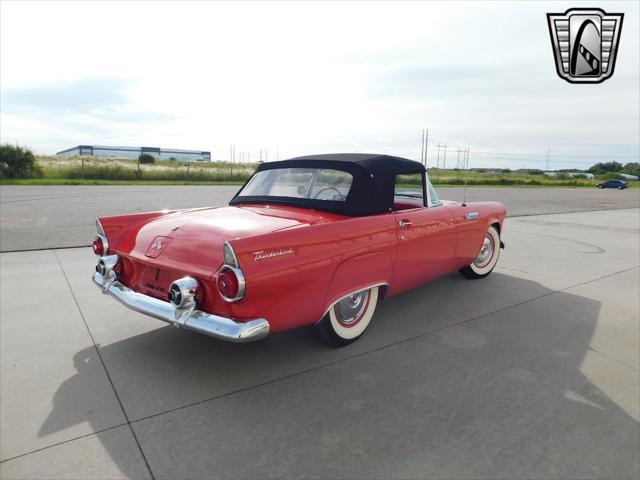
{"x": 348, "y": 318}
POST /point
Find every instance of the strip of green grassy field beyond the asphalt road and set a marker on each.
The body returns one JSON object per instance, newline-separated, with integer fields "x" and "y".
{"x": 109, "y": 171}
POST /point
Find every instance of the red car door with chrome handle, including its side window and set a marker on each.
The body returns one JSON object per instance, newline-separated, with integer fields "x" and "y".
{"x": 426, "y": 237}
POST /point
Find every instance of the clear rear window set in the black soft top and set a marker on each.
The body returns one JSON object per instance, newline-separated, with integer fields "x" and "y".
{"x": 310, "y": 183}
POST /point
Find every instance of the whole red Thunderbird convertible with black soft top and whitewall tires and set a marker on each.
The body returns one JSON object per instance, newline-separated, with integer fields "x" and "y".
{"x": 316, "y": 240}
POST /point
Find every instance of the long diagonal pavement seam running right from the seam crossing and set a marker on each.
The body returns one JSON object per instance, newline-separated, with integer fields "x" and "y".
{"x": 361, "y": 354}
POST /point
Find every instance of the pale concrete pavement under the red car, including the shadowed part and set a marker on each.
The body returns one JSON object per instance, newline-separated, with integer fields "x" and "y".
{"x": 531, "y": 372}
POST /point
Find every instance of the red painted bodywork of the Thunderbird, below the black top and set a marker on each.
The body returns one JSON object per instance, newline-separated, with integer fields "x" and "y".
{"x": 297, "y": 262}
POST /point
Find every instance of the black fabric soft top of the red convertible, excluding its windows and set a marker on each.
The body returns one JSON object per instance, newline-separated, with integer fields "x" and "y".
{"x": 372, "y": 189}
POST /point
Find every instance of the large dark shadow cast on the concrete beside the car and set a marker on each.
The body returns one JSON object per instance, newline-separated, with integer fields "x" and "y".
{"x": 519, "y": 392}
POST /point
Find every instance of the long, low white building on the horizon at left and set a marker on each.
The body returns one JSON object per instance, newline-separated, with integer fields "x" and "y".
{"x": 134, "y": 152}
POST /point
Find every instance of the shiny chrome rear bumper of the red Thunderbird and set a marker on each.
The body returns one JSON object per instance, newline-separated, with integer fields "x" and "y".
{"x": 196, "y": 320}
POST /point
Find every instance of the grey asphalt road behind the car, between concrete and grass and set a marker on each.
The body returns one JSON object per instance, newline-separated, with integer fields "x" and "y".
{"x": 36, "y": 217}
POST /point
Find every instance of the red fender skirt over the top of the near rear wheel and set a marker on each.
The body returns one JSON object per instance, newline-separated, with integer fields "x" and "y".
{"x": 358, "y": 273}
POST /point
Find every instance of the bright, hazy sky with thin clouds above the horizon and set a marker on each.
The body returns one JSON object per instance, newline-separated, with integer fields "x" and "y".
{"x": 313, "y": 77}
